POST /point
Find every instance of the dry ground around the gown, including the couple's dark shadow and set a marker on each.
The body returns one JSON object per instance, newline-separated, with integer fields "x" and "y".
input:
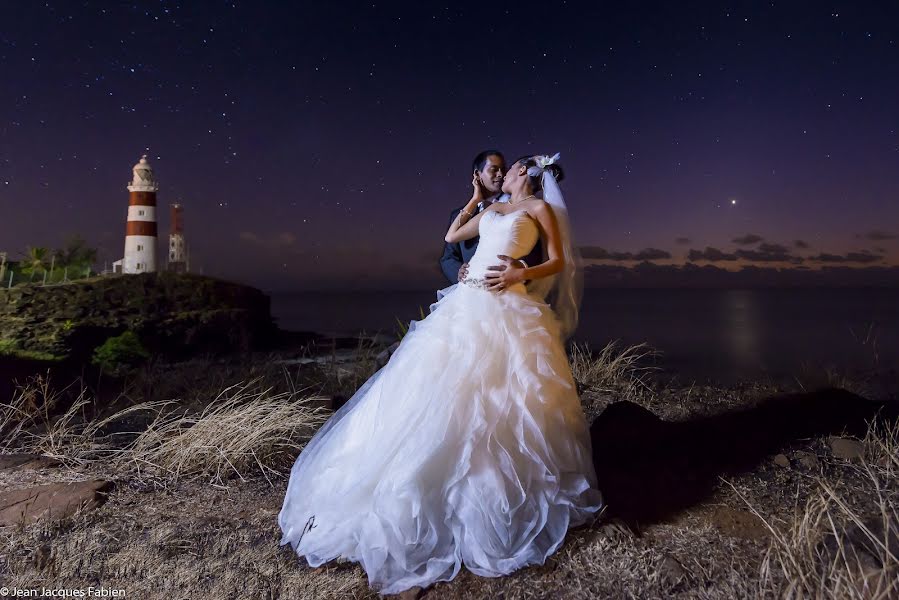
{"x": 705, "y": 485}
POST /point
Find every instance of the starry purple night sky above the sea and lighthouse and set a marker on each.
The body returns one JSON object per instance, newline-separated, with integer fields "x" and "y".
{"x": 322, "y": 145}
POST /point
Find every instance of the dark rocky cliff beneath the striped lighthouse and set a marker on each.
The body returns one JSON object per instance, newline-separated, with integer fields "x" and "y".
{"x": 174, "y": 314}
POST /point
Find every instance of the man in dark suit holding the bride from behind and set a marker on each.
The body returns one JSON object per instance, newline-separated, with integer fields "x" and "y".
{"x": 489, "y": 167}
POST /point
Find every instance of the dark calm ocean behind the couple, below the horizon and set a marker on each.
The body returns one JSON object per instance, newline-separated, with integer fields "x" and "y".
{"x": 723, "y": 334}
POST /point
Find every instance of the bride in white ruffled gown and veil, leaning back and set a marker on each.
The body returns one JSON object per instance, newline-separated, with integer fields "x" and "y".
{"x": 470, "y": 445}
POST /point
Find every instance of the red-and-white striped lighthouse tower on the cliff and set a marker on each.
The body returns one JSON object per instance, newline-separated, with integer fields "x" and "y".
{"x": 140, "y": 231}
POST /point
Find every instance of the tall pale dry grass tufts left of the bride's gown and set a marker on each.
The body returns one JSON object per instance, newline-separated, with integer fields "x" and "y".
{"x": 244, "y": 429}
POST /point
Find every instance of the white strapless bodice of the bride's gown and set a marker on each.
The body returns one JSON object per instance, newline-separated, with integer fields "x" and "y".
{"x": 512, "y": 234}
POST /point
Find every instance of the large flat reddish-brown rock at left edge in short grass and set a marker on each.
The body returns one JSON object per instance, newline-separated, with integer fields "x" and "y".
{"x": 54, "y": 500}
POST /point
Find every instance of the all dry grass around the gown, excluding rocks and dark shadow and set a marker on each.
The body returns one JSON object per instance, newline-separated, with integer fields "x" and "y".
{"x": 171, "y": 529}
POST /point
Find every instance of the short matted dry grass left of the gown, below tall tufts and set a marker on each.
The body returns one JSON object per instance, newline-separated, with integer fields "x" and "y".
{"x": 187, "y": 541}
